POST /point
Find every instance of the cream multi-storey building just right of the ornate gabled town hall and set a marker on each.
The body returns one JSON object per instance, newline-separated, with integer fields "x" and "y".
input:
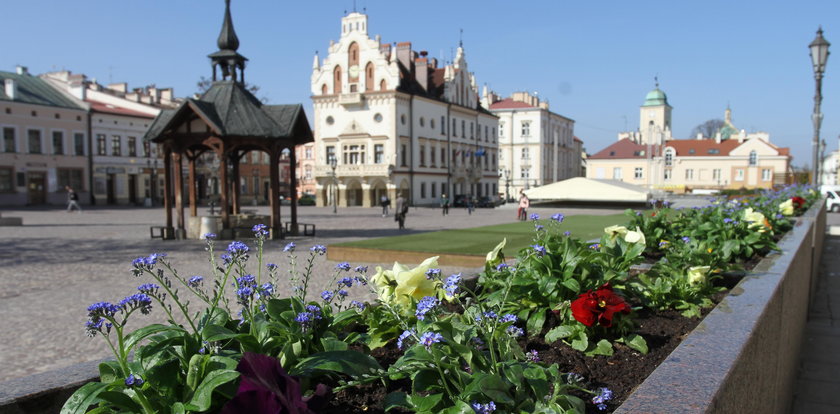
{"x": 536, "y": 146}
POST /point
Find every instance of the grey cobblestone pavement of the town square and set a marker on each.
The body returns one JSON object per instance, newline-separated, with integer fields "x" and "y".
{"x": 58, "y": 263}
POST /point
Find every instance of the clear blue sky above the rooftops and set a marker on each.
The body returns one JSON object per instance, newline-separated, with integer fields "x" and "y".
{"x": 593, "y": 60}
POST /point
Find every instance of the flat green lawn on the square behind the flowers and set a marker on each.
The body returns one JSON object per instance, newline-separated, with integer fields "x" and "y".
{"x": 480, "y": 240}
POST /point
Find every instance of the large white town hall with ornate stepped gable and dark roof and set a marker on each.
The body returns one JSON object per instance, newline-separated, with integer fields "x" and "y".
{"x": 396, "y": 123}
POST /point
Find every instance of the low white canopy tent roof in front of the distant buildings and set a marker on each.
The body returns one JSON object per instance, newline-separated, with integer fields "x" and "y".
{"x": 582, "y": 189}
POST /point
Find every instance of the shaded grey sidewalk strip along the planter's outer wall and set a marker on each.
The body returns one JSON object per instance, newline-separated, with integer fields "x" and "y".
{"x": 818, "y": 386}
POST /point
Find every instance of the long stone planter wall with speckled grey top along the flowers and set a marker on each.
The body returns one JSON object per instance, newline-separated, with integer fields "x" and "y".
{"x": 743, "y": 356}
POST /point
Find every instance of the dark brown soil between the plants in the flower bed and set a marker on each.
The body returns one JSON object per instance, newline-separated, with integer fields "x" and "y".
{"x": 622, "y": 372}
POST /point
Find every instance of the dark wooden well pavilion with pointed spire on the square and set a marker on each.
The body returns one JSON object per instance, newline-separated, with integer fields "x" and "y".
{"x": 228, "y": 120}
